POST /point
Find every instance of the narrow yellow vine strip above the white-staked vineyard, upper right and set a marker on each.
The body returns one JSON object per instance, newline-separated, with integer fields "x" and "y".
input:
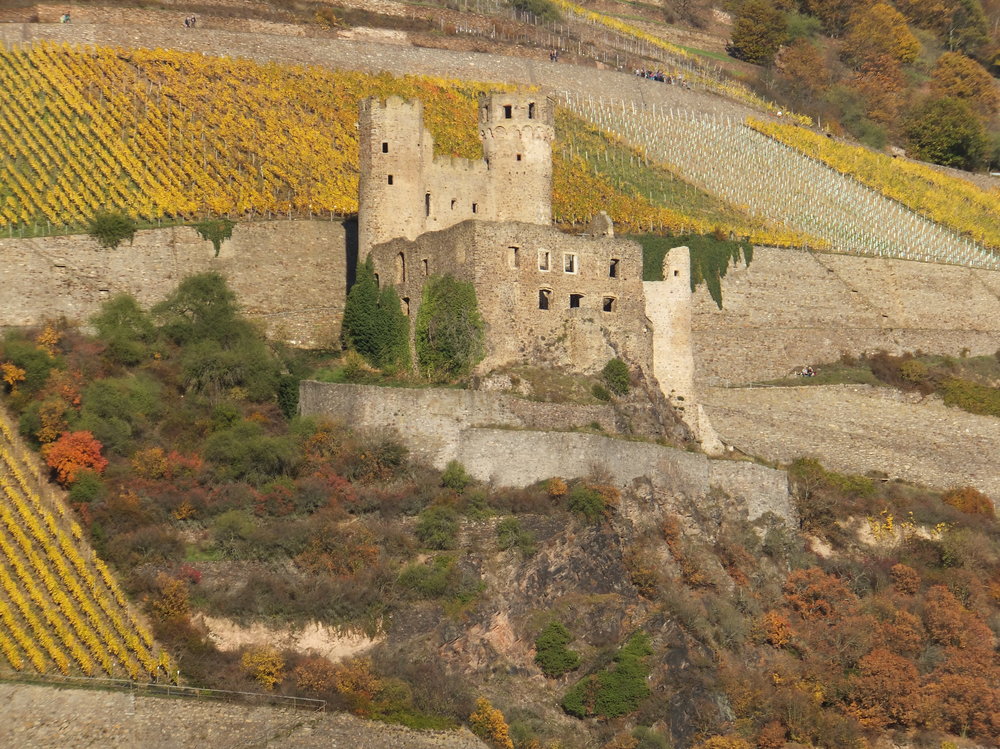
{"x": 950, "y": 201}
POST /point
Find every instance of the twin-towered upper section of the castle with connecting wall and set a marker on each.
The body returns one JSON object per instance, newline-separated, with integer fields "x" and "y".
{"x": 405, "y": 191}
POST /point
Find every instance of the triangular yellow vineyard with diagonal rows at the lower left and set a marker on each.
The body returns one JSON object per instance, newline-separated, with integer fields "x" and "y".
{"x": 60, "y": 607}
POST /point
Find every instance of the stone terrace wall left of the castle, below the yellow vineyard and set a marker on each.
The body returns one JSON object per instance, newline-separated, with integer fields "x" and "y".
{"x": 291, "y": 276}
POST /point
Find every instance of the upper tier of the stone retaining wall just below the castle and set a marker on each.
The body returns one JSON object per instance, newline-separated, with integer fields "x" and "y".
{"x": 431, "y": 420}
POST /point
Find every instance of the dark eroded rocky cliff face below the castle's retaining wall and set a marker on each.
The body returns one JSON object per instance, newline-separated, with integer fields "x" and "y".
{"x": 604, "y": 581}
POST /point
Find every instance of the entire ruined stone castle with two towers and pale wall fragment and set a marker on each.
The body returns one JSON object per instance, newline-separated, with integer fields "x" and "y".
{"x": 547, "y": 297}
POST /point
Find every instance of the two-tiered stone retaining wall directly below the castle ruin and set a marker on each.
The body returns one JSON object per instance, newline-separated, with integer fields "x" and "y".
{"x": 510, "y": 441}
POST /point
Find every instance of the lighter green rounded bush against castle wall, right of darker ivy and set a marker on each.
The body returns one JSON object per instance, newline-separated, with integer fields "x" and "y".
{"x": 450, "y": 333}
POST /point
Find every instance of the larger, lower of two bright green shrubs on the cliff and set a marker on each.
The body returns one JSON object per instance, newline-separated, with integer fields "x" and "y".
{"x": 611, "y": 693}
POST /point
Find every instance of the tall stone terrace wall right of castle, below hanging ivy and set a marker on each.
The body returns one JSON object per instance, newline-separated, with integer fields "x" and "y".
{"x": 793, "y": 308}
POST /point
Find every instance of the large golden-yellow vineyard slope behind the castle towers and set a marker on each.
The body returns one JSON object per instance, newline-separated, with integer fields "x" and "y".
{"x": 163, "y": 134}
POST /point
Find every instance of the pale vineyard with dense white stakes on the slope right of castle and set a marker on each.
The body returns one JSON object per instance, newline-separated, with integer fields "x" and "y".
{"x": 772, "y": 180}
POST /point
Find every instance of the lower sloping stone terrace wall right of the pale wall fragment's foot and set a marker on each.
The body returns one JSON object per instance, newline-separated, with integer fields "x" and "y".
{"x": 856, "y": 428}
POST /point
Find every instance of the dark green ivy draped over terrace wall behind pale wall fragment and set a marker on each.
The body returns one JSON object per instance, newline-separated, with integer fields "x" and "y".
{"x": 711, "y": 257}
